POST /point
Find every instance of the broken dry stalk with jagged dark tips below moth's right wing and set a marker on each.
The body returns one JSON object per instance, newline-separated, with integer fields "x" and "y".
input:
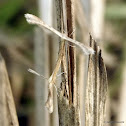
{"x": 96, "y": 90}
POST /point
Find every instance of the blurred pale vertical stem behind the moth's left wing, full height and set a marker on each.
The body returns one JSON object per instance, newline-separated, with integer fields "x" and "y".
{"x": 42, "y": 63}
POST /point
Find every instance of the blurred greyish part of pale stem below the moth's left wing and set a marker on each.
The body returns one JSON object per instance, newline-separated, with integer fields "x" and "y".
{"x": 41, "y": 66}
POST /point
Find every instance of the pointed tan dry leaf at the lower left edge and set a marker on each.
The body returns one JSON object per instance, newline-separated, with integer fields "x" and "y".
{"x": 8, "y": 116}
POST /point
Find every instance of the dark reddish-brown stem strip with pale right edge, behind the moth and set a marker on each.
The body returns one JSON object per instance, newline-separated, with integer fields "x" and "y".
{"x": 71, "y": 53}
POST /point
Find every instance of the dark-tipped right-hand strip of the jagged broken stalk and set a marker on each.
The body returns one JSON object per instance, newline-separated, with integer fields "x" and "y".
{"x": 102, "y": 90}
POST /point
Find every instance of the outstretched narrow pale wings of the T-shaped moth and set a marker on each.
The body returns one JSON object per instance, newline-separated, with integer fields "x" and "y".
{"x": 31, "y": 19}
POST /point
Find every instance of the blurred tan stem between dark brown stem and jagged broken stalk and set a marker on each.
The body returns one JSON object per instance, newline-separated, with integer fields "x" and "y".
{"x": 82, "y": 65}
